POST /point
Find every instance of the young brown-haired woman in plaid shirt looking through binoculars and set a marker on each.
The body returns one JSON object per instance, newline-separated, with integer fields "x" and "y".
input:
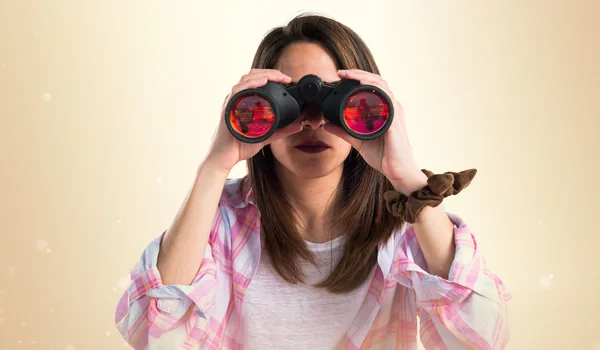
{"x": 345, "y": 246}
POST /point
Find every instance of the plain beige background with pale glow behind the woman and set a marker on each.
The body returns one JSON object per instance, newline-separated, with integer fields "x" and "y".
{"x": 107, "y": 107}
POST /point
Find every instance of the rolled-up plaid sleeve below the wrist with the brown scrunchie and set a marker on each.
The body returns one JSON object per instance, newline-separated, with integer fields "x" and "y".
{"x": 467, "y": 310}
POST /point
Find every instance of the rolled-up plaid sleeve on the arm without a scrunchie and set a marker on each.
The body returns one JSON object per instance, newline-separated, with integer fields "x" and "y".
{"x": 149, "y": 310}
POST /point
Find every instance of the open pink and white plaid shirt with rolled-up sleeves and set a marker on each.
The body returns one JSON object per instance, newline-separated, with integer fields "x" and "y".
{"x": 466, "y": 311}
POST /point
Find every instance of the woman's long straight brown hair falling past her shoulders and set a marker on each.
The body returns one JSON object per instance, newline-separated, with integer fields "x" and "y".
{"x": 363, "y": 217}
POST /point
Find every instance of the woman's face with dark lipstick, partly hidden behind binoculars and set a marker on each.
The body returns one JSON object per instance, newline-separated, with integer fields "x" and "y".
{"x": 308, "y": 161}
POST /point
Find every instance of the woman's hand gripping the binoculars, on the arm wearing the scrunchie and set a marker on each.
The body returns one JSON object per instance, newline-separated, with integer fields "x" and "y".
{"x": 391, "y": 154}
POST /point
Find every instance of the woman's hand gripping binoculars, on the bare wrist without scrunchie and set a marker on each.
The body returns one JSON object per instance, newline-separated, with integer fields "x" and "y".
{"x": 225, "y": 150}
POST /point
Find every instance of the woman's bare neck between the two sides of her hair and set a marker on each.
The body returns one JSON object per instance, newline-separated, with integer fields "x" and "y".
{"x": 314, "y": 201}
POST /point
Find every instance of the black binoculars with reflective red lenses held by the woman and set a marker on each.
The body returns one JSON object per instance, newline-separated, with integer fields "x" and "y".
{"x": 364, "y": 111}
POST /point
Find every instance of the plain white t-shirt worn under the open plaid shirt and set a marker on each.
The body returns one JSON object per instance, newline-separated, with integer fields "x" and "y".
{"x": 280, "y": 315}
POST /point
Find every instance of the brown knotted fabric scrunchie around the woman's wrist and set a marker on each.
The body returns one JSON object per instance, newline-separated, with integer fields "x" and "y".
{"x": 439, "y": 186}
